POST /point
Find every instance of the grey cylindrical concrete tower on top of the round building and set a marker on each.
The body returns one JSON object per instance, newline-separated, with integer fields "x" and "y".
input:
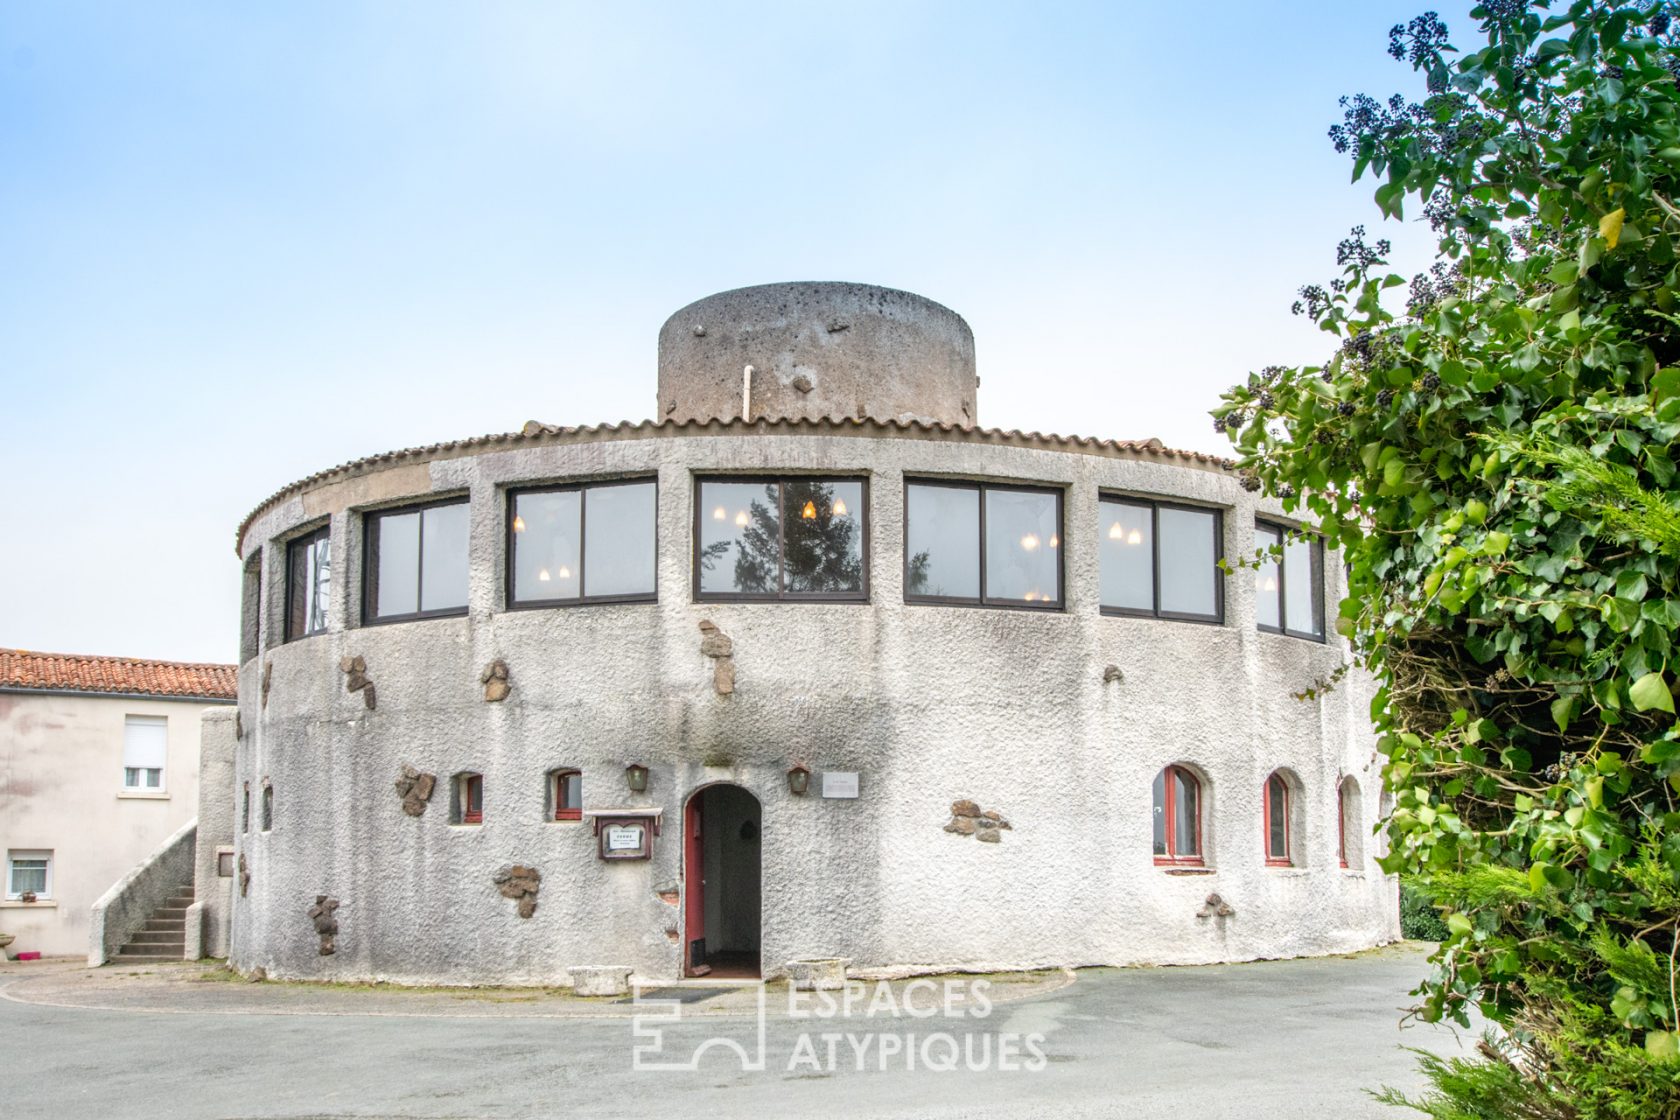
{"x": 817, "y": 350}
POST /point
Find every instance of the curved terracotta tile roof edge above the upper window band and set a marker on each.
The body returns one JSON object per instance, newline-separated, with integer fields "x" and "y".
{"x": 537, "y": 434}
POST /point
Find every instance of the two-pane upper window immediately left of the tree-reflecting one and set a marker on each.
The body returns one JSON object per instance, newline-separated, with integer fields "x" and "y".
{"x": 582, "y": 545}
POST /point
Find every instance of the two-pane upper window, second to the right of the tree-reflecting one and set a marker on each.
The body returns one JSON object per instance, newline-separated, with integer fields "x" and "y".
{"x": 1162, "y": 562}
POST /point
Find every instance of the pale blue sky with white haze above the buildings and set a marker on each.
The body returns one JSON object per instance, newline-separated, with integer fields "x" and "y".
{"x": 246, "y": 243}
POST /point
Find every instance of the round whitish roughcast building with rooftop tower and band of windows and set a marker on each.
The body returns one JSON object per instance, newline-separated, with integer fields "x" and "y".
{"x": 809, "y": 667}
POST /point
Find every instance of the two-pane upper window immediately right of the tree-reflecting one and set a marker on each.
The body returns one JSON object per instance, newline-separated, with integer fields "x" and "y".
{"x": 969, "y": 543}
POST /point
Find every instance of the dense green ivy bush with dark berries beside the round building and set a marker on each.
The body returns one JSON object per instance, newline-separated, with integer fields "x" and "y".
{"x": 1493, "y": 447}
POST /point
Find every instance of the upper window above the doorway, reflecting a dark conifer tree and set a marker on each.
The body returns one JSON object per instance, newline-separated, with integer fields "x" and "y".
{"x": 780, "y": 540}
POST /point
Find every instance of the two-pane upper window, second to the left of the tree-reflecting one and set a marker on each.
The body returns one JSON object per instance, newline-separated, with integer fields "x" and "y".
{"x": 417, "y": 563}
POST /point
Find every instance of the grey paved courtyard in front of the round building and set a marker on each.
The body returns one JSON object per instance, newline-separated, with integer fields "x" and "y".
{"x": 1291, "y": 1039}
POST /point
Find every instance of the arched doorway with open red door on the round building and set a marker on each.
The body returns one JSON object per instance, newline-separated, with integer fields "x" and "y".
{"x": 722, "y": 899}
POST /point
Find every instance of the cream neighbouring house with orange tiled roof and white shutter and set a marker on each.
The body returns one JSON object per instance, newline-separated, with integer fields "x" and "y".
{"x": 98, "y": 767}
